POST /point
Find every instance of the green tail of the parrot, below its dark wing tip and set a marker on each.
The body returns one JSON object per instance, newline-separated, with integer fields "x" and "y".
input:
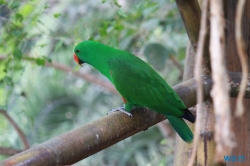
{"x": 181, "y": 128}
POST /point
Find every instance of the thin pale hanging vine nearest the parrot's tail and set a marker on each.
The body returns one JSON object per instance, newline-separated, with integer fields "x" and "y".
{"x": 199, "y": 56}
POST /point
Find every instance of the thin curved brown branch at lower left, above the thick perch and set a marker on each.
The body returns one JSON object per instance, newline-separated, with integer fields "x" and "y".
{"x": 17, "y": 128}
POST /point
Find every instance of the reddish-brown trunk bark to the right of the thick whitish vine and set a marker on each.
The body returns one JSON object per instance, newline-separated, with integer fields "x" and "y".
{"x": 241, "y": 126}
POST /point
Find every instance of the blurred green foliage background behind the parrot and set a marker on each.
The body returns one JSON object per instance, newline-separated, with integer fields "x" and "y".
{"x": 46, "y": 102}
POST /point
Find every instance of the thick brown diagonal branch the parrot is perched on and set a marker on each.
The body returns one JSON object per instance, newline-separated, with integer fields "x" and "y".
{"x": 80, "y": 143}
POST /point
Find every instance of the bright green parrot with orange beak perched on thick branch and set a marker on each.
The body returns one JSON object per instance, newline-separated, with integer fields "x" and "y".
{"x": 138, "y": 83}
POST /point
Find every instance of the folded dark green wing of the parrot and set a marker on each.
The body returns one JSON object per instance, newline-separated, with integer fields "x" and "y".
{"x": 139, "y": 84}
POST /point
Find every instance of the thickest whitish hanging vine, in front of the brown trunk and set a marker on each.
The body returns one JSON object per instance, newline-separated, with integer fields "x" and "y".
{"x": 220, "y": 90}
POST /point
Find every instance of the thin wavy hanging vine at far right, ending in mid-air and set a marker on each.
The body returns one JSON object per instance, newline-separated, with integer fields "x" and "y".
{"x": 243, "y": 57}
